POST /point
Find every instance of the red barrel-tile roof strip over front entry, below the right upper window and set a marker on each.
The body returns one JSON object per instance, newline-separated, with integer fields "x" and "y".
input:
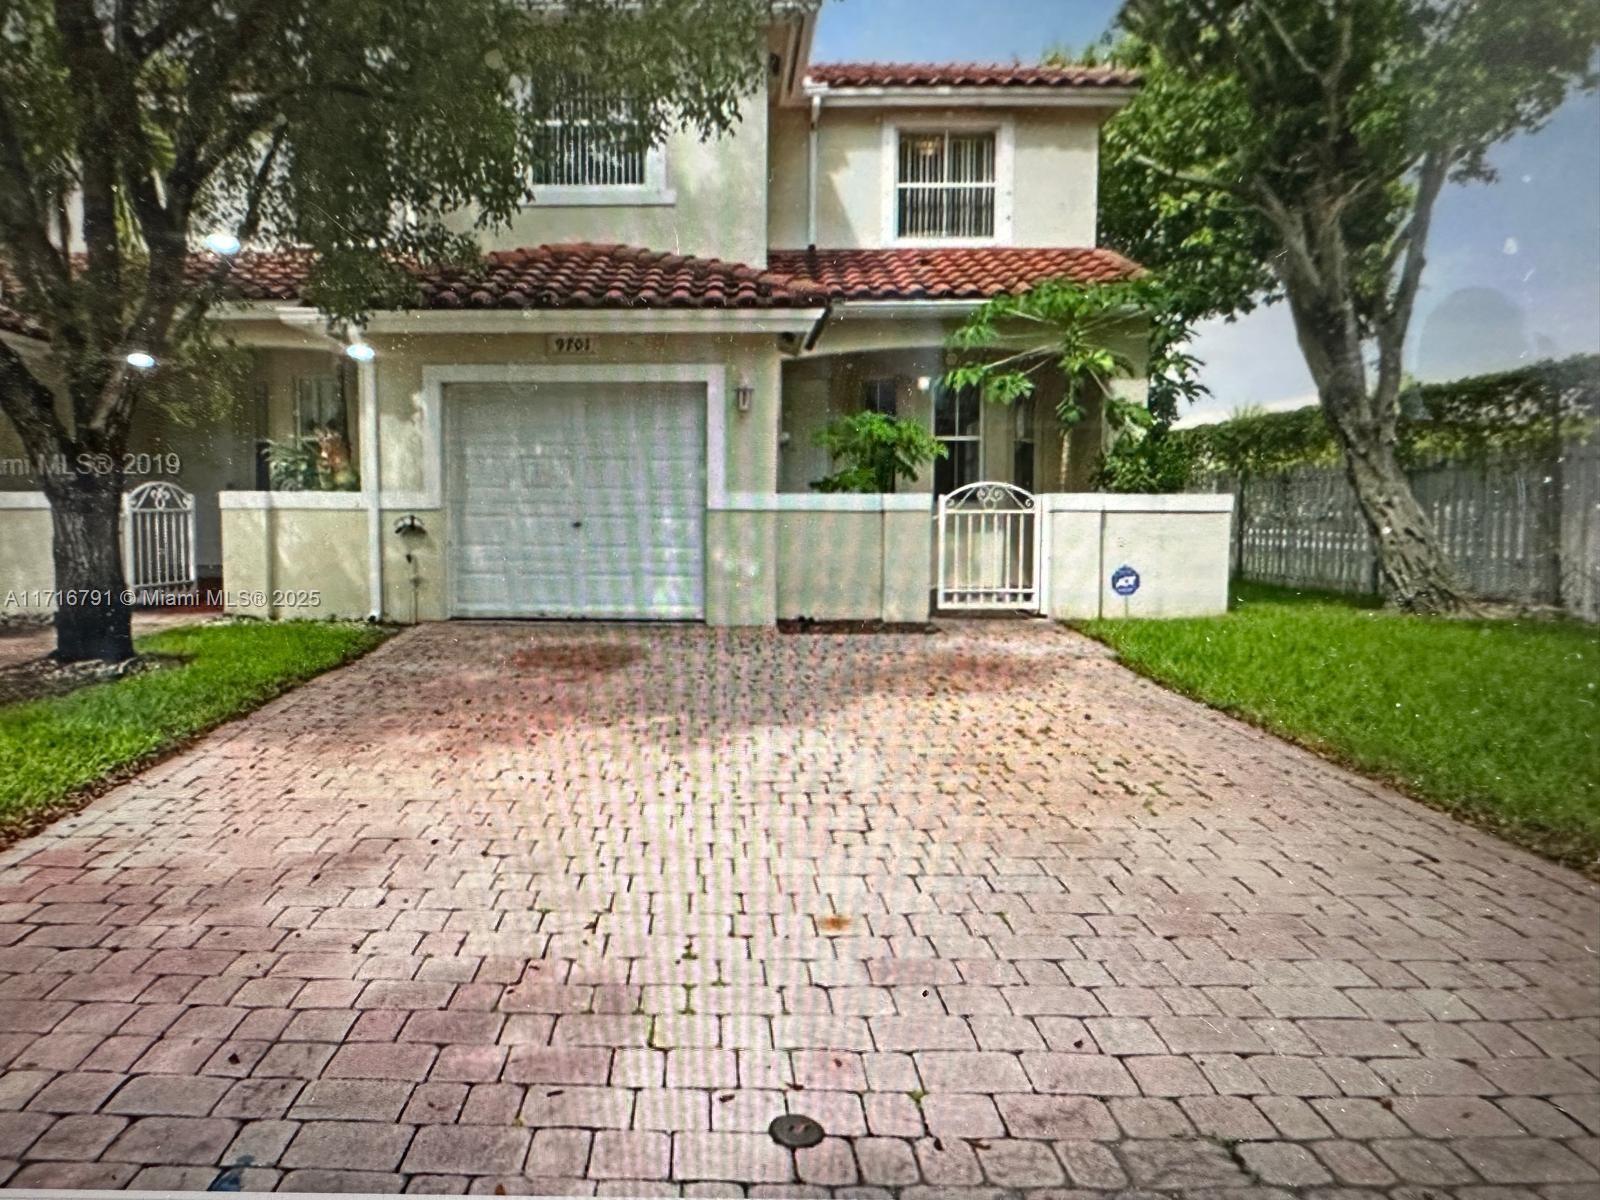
{"x": 946, "y": 274}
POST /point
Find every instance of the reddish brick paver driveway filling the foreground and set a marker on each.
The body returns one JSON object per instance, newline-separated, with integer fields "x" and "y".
{"x": 561, "y": 910}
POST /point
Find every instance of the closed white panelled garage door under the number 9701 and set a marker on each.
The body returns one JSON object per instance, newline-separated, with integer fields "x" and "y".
{"x": 577, "y": 500}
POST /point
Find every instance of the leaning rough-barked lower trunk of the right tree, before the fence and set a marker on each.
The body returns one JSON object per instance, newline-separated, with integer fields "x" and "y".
{"x": 1415, "y": 572}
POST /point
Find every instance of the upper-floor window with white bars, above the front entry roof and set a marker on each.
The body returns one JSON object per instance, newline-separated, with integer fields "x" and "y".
{"x": 946, "y": 185}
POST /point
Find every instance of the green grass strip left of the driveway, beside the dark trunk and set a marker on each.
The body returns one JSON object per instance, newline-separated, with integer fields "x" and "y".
{"x": 54, "y": 748}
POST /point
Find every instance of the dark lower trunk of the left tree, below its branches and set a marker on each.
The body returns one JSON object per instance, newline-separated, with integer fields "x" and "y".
{"x": 94, "y": 612}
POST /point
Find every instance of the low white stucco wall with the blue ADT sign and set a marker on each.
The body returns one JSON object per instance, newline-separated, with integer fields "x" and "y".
{"x": 1175, "y": 545}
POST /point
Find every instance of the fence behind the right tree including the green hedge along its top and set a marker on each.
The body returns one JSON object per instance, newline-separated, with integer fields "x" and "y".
{"x": 1506, "y": 466}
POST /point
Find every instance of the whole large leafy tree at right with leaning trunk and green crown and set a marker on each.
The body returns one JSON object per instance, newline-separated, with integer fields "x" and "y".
{"x": 1297, "y": 150}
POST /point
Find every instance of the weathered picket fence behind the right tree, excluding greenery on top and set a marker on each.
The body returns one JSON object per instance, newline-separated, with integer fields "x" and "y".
{"x": 1526, "y": 532}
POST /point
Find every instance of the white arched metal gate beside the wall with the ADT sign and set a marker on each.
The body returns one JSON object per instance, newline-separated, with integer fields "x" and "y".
{"x": 990, "y": 543}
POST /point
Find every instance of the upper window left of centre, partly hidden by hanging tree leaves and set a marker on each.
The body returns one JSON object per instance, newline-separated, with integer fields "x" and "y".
{"x": 590, "y": 151}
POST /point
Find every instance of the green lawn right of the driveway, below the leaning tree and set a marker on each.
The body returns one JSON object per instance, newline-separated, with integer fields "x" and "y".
{"x": 1494, "y": 721}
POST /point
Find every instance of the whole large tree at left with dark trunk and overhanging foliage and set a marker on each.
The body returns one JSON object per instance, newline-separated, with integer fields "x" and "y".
{"x": 134, "y": 130}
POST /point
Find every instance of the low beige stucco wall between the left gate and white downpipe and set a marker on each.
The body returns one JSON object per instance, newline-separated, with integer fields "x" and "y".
{"x": 295, "y": 564}
